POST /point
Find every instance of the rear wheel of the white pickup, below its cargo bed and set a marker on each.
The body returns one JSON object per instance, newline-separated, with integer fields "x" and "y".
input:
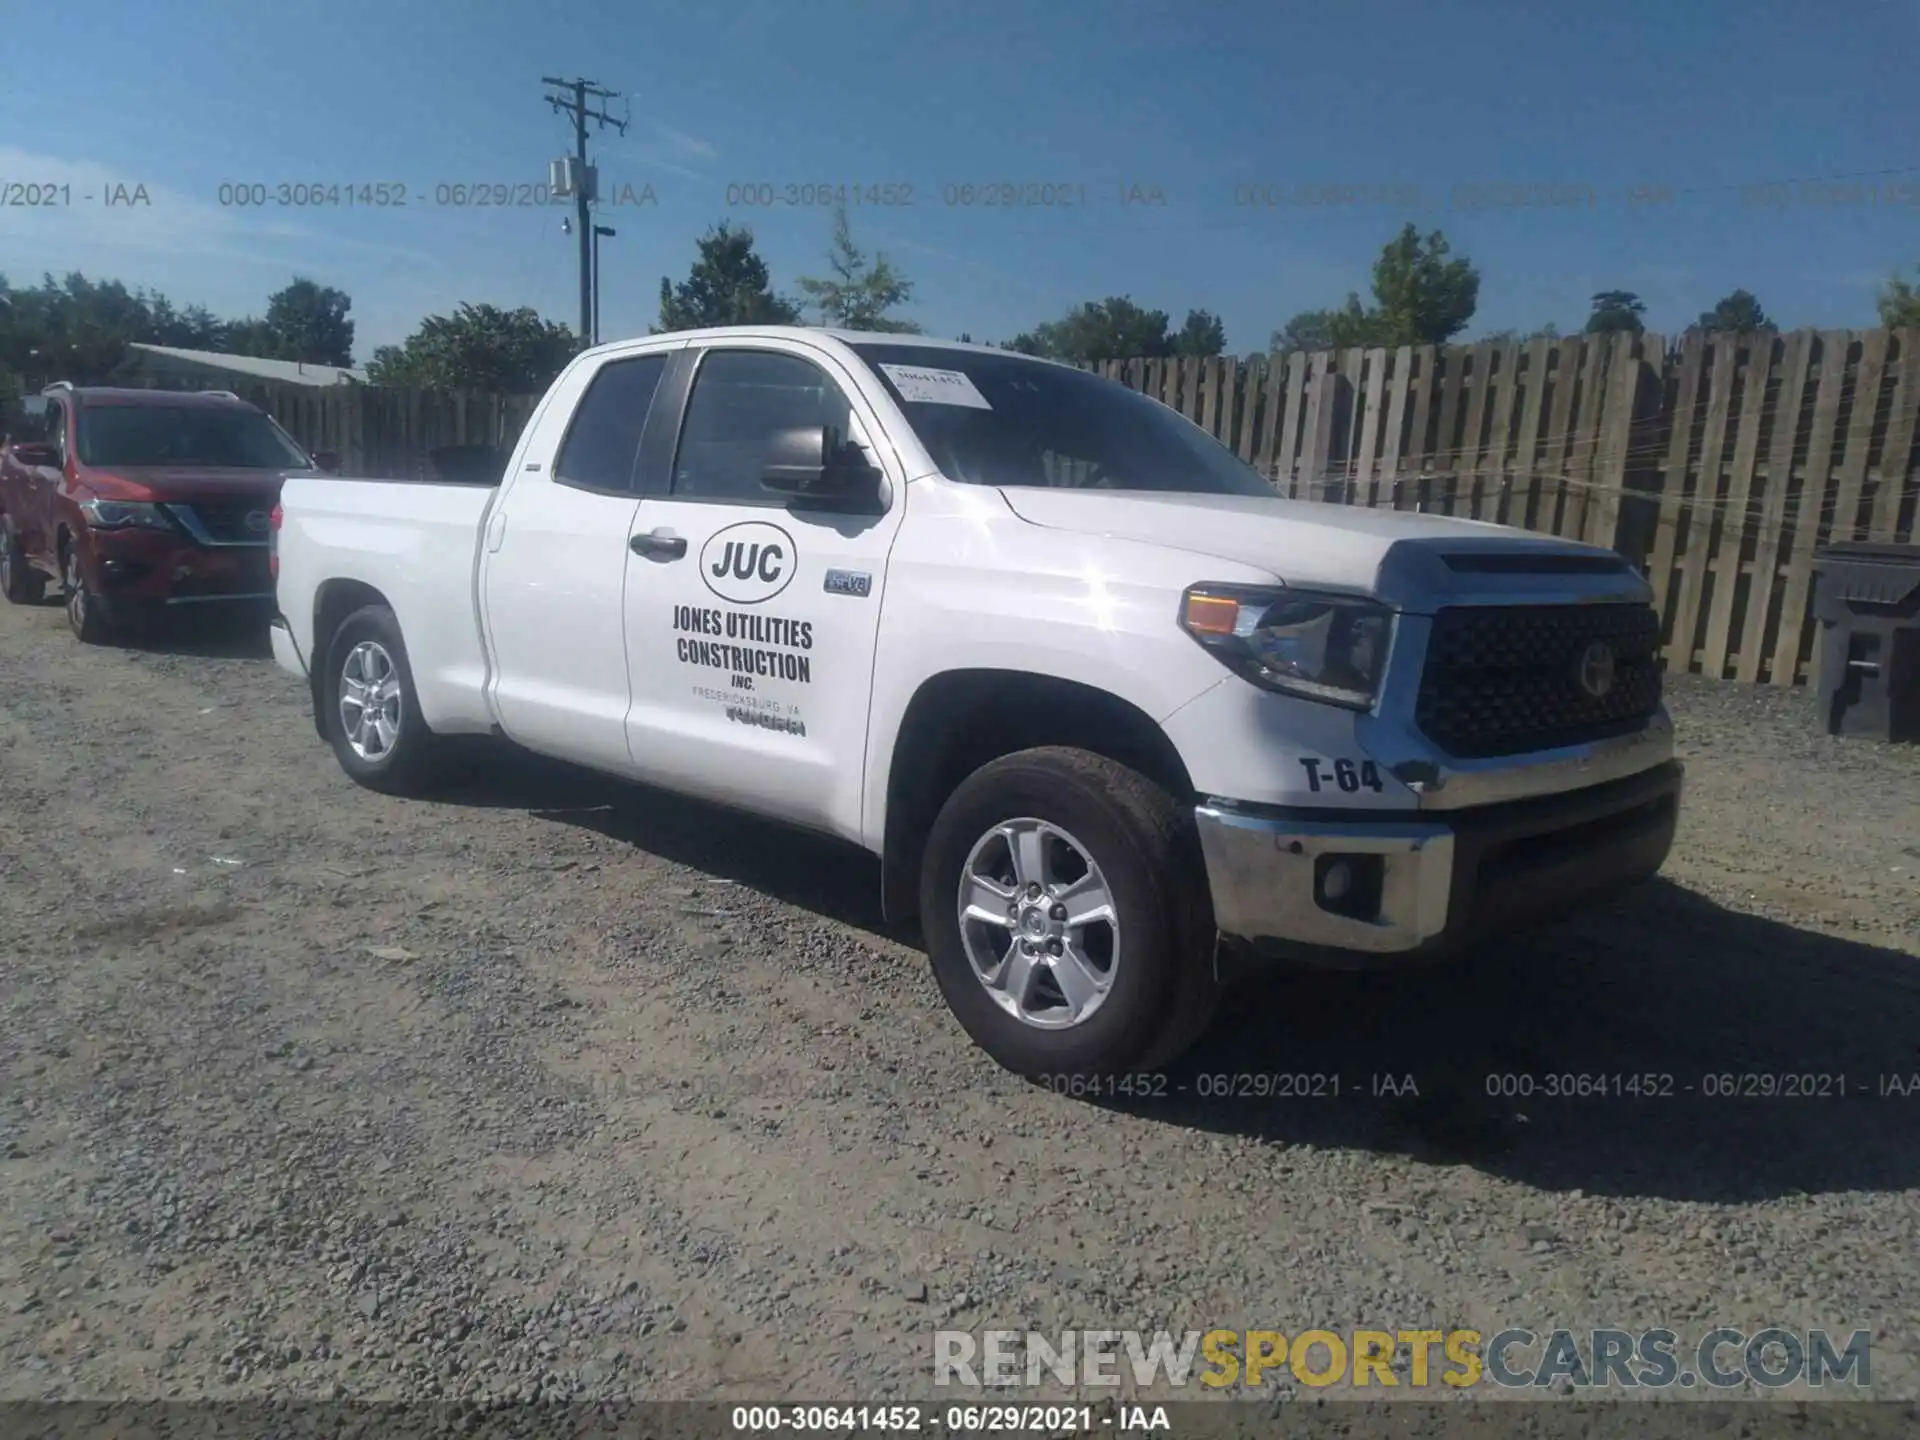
{"x": 372, "y": 708}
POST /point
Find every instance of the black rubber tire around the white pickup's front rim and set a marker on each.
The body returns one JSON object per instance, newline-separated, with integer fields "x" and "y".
{"x": 1163, "y": 992}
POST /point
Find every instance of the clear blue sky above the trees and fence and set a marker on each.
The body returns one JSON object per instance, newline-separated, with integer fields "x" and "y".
{"x": 1460, "y": 116}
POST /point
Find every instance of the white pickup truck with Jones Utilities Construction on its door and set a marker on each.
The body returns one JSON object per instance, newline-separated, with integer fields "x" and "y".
{"x": 1115, "y": 717}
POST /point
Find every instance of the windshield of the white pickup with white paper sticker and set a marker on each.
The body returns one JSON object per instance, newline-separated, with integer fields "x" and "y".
{"x": 1009, "y": 421}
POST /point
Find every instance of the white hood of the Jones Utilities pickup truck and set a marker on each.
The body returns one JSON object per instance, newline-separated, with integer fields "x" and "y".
{"x": 1414, "y": 562}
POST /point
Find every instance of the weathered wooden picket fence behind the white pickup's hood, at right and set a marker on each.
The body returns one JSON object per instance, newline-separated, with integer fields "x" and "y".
{"x": 1717, "y": 466}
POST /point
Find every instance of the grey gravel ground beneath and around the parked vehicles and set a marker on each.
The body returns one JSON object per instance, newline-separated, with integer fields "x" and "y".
{"x": 571, "y": 1090}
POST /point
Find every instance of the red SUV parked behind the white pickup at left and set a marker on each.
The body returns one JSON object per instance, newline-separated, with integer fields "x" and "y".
{"x": 141, "y": 500}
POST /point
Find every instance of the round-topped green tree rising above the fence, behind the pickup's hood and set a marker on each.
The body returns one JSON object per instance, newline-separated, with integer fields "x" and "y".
{"x": 1422, "y": 297}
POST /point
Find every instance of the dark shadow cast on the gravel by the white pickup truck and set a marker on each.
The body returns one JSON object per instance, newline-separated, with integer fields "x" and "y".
{"x": 1708, "y": 1013}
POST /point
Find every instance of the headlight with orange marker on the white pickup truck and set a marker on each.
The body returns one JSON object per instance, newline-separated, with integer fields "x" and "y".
{"x": 1322, "y": 648}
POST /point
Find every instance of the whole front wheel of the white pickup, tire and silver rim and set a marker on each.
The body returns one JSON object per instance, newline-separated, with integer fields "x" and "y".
{"x": 1067, "y": 917}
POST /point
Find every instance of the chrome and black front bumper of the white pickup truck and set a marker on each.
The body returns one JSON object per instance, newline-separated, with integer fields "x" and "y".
{"x": 1445, "y": 880}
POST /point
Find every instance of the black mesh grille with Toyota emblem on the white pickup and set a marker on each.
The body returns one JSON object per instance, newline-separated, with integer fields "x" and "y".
{"x": 1504, "y": 681}
